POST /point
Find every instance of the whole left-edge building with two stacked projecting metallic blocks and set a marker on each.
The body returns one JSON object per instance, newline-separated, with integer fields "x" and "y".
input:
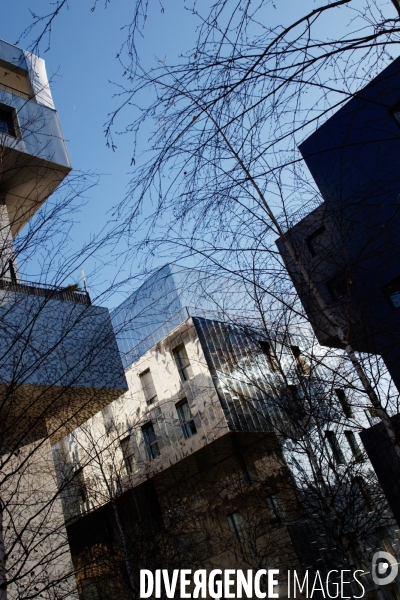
{"x": 59, "y": 361}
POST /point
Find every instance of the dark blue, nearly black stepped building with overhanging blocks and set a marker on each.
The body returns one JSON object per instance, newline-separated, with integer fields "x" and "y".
{"x": 350, "y": 244}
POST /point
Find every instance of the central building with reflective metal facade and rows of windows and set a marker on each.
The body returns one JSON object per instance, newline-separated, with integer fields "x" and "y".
{"x": 220, "y": 455}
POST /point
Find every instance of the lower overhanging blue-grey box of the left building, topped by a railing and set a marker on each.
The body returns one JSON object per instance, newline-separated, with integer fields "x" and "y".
{"x": 59, "y": 361}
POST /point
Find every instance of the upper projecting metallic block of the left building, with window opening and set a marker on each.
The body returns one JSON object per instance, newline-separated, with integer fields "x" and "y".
{"x": 34, "y": 157}
